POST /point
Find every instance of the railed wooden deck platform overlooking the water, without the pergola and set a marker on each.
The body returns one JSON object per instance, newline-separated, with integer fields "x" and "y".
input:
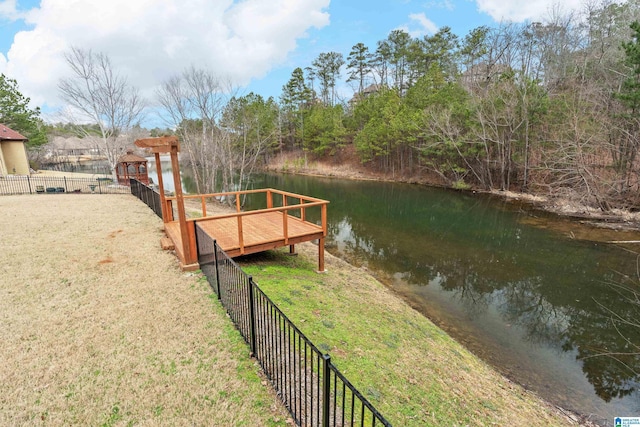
{"x": 243, "y": 233}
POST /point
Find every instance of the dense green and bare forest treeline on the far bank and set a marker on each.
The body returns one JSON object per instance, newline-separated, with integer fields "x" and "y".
{"x": 550, "y": 108}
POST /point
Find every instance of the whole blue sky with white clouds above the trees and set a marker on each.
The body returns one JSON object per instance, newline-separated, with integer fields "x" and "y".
{"x": 256, "y": 44}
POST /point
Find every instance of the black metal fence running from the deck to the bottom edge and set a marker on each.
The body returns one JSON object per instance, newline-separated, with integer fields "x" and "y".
{"x": 311, "y": 387}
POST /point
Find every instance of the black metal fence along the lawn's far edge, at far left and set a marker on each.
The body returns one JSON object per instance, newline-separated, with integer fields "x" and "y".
{"x": 26, "y": 184}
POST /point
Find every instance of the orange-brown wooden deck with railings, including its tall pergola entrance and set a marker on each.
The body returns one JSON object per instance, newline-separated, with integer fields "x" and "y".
{"x": 240, "y": 232}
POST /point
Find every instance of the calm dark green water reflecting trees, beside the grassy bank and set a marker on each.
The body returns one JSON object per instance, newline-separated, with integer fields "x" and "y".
{"x": 532, "y": 294}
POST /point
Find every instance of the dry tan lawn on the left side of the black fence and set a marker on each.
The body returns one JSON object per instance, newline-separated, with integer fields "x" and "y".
{"x": 100, "y": 327}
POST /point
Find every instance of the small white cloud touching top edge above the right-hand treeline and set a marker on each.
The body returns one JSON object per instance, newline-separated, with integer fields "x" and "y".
{"x": 519, "y": 11}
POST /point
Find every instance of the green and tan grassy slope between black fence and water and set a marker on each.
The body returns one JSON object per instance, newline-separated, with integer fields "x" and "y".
{"x": 411, "y": 371}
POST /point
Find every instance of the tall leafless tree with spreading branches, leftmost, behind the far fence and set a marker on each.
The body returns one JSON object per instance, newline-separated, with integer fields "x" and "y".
{"x": 96, "y": 93}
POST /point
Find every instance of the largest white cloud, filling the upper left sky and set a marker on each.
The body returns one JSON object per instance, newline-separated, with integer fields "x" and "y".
{"x": 150, "y": 40}
